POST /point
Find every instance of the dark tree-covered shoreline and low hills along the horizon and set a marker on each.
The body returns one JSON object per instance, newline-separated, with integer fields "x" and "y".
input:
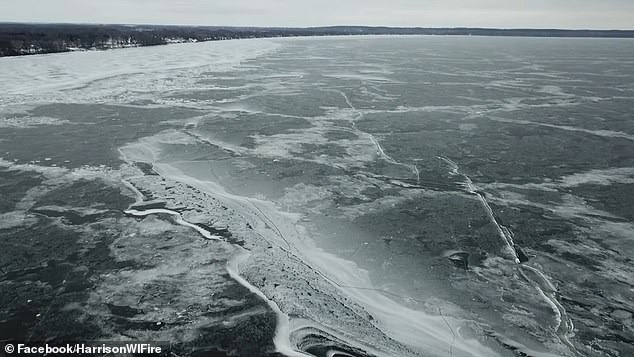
{"x": 23, "y": 39}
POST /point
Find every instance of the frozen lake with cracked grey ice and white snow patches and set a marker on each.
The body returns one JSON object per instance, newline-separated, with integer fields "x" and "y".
{"x": 390, "y": 196}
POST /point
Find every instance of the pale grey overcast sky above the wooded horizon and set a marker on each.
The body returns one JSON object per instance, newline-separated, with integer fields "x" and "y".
{"x": 599, "y": 14}
